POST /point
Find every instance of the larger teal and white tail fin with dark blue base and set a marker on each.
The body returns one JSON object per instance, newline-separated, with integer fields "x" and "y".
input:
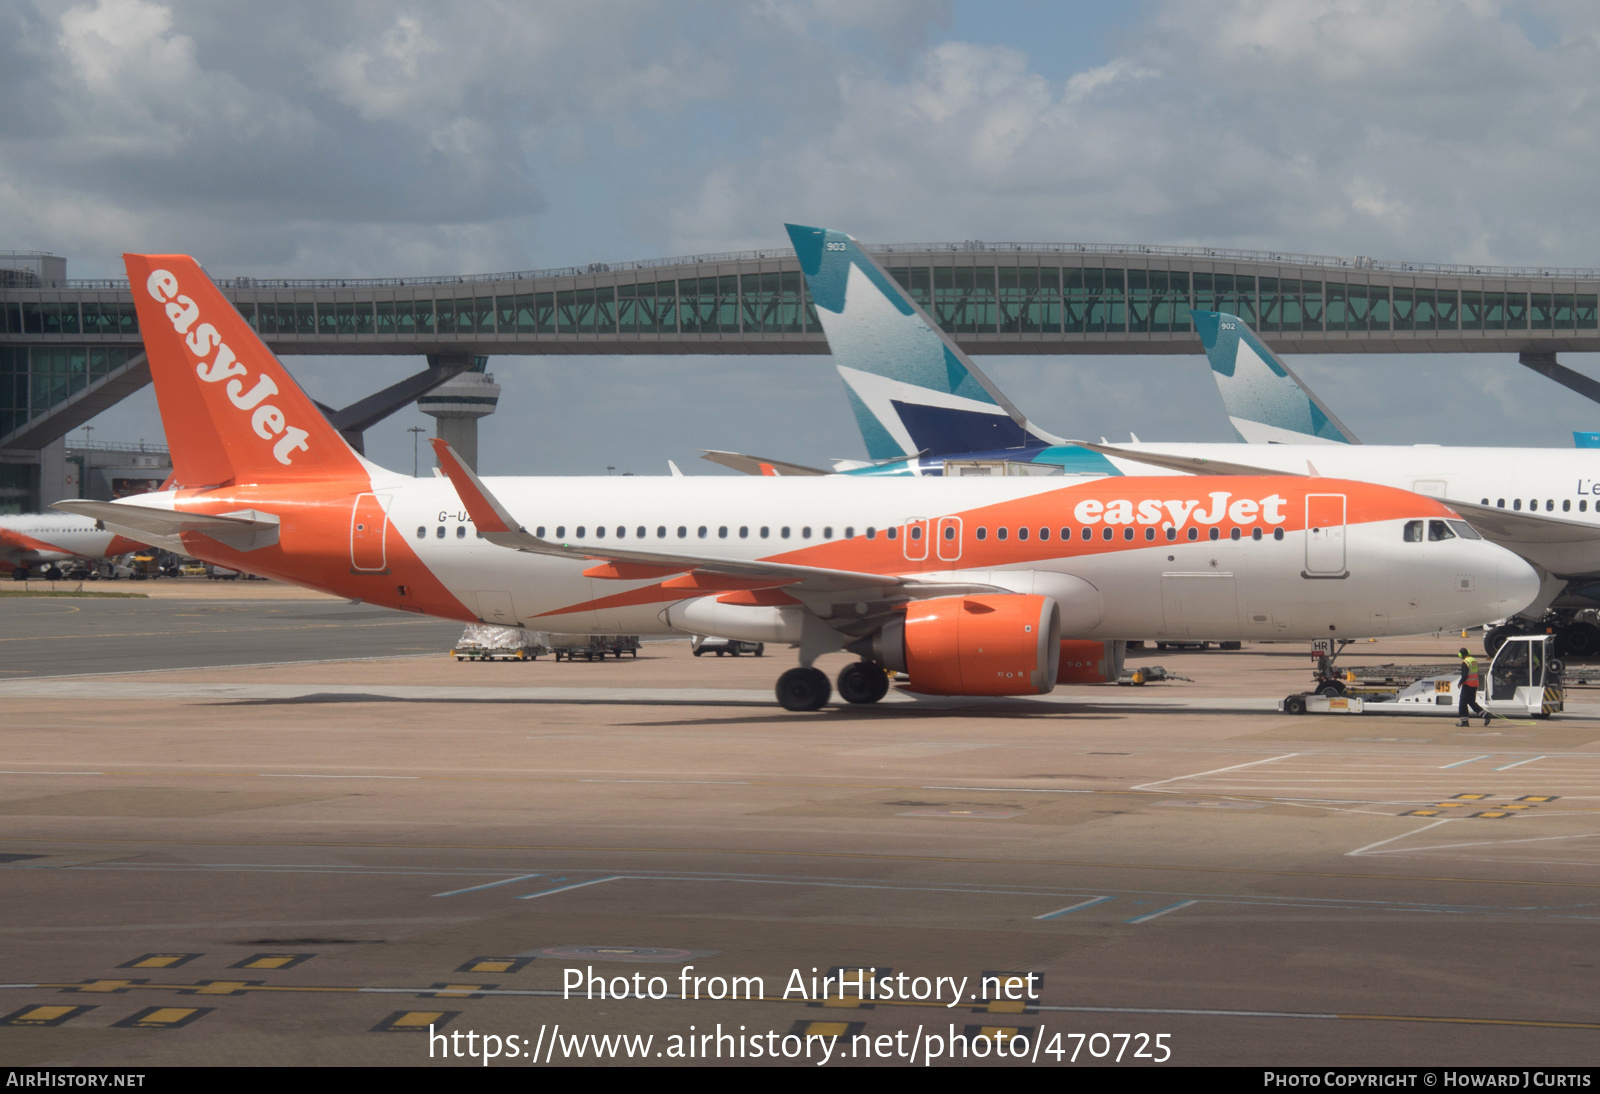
{"x": 911, "y": 388}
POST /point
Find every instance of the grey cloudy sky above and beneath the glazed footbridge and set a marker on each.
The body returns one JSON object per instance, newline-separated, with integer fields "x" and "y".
{"x": 311, "y": 140}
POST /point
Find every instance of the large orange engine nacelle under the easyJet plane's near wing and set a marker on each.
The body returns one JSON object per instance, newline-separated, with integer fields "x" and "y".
{"x": 993, "y": 645}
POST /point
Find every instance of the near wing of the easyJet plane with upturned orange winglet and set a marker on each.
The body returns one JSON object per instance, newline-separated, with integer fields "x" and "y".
{"x": 502, "y": 529}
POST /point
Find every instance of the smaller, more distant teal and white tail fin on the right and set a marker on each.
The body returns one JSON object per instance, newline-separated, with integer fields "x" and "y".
{"x": 1266, "y": 402}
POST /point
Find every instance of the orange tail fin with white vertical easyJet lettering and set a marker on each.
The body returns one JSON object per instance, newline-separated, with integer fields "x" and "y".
{"x": 233, "y": 412}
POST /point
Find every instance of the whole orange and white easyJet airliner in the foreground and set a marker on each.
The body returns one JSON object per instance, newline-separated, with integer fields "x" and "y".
{"x": 969, "y": 586}
